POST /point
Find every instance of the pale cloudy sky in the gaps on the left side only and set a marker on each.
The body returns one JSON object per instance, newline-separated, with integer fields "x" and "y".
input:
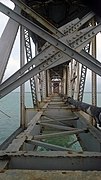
{"x": 14, "y": 60}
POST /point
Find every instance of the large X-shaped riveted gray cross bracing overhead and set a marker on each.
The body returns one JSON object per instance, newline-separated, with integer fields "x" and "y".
{"x": 67, "y": 50}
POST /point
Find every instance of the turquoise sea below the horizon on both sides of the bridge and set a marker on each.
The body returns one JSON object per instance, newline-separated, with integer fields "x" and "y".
{"x": 10, "y": 111}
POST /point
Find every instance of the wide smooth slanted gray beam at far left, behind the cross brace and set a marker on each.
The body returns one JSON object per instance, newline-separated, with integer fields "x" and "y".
{"x": 6, "y": 43}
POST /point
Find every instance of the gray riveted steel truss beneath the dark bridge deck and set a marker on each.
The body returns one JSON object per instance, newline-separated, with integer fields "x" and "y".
{"x": 55, "y": 69}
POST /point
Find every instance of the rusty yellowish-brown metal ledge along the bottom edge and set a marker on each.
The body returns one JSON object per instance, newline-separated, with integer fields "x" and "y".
{"x": 49, "y": 175}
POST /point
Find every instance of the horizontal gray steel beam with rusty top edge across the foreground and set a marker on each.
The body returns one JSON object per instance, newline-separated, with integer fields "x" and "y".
{"x": 54, "y": 161}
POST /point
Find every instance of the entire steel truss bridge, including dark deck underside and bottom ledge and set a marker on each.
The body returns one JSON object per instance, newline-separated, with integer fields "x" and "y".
{"x": 64, "y": 34}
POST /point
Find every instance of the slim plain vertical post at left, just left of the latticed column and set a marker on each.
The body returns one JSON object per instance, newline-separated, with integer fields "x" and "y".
{"x": 22, "y": 87}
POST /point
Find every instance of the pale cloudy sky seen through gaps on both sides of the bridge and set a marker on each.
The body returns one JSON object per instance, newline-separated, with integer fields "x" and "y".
{"x": 14, "y": 60}
